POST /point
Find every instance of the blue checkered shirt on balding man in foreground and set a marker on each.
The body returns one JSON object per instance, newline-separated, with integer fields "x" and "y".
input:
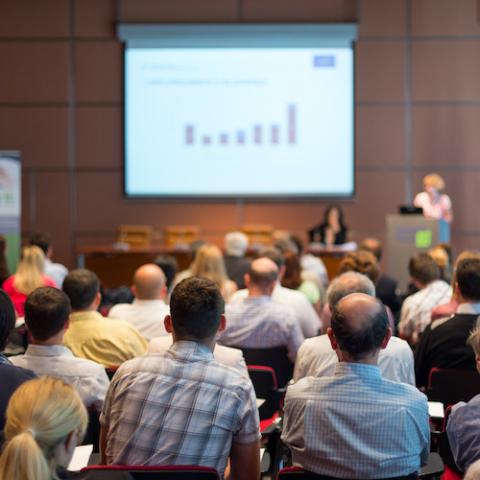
{"x": 356, "y": 424}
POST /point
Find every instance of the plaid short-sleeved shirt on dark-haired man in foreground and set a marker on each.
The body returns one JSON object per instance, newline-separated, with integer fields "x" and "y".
{"x": 181, "y": 407}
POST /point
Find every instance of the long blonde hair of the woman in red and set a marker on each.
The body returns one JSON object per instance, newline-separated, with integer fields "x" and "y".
{"x": 29, "y": 274}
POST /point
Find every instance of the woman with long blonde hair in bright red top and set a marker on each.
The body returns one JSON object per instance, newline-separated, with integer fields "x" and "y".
{"x": 29, "y": 276}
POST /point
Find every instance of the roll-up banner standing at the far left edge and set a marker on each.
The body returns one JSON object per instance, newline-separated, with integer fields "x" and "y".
{"x": 10, "y": 204}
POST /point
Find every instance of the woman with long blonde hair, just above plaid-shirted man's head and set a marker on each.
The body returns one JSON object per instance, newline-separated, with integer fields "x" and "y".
{"x": 209, "y": 264}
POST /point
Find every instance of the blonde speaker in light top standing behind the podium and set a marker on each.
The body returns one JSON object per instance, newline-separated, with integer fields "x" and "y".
{"x": 433, "y": 201}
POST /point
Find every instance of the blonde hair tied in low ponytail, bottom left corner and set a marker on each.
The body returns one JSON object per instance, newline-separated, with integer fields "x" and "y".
{"x": 40, "y": 416}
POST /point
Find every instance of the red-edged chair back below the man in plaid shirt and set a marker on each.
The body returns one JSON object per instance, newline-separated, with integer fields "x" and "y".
{"x": 170, "y": 472}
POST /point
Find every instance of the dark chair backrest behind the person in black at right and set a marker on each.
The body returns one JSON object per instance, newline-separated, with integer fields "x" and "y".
{"x": 450, "y": 385}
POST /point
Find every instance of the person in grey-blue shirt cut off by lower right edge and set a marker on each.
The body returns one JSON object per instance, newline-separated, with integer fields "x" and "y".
{"x": 462, "y": 426}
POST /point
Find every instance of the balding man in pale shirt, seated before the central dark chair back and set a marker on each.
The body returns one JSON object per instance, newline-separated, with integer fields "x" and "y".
{"x": 257, "y": 321}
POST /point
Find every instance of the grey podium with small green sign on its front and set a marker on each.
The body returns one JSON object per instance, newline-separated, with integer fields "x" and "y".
{"x": 408, "y": 235}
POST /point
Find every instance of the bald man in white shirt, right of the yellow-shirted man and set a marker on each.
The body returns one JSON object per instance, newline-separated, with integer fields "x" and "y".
{"x": 148, "y": 310}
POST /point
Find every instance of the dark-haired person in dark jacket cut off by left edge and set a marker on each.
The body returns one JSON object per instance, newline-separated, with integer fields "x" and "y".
{"x": 10, "y": 376}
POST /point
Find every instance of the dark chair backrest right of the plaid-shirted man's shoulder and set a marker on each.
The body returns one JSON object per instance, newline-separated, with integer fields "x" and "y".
{"x": 276, "y": 358}
